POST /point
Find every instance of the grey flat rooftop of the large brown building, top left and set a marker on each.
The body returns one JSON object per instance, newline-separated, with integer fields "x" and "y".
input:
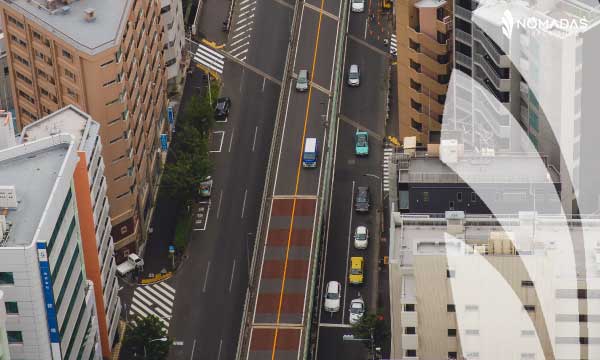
{"x": 68, "y": 22}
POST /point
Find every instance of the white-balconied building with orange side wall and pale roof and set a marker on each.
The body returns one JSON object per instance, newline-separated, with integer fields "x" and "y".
{"x": 92, "y": 208}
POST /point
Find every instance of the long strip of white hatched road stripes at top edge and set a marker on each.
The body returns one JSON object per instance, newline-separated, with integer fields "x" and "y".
{"x": 239, "y": 40}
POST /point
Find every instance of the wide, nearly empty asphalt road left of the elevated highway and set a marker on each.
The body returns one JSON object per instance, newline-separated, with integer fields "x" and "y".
{"x": 212, "y": 283}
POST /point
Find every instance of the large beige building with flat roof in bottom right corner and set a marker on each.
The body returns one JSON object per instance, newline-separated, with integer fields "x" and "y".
{"x": 510, "y": 287}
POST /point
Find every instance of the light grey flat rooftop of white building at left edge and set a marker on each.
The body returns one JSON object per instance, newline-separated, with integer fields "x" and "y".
{"x": 33, "y": 169}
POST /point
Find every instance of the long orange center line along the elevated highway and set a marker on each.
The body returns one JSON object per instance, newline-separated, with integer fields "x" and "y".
{"x": 287, "y": 250}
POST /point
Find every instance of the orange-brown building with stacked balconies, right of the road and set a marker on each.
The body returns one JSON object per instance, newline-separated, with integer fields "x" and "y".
{"x": 424, "y": 40}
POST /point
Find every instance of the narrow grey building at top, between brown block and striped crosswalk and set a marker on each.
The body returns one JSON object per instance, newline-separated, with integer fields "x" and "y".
{"x": 174, "y": 43}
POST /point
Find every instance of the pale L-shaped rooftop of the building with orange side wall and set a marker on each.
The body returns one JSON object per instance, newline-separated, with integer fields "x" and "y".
{"x": 68, "y": 120}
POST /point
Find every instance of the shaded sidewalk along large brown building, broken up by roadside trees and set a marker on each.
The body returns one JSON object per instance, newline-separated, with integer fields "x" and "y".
{"x": 156, "y": 256}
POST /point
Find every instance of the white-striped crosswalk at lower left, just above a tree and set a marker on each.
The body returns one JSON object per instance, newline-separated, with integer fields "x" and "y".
{"x": 155, "y": 299}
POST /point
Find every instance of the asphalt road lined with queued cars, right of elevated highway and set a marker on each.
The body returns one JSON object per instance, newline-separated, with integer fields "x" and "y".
{"x": 361, "y": 107}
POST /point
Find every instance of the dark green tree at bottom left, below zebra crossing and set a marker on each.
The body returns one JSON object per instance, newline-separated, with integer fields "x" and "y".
{"x": 138, "y": 339}
